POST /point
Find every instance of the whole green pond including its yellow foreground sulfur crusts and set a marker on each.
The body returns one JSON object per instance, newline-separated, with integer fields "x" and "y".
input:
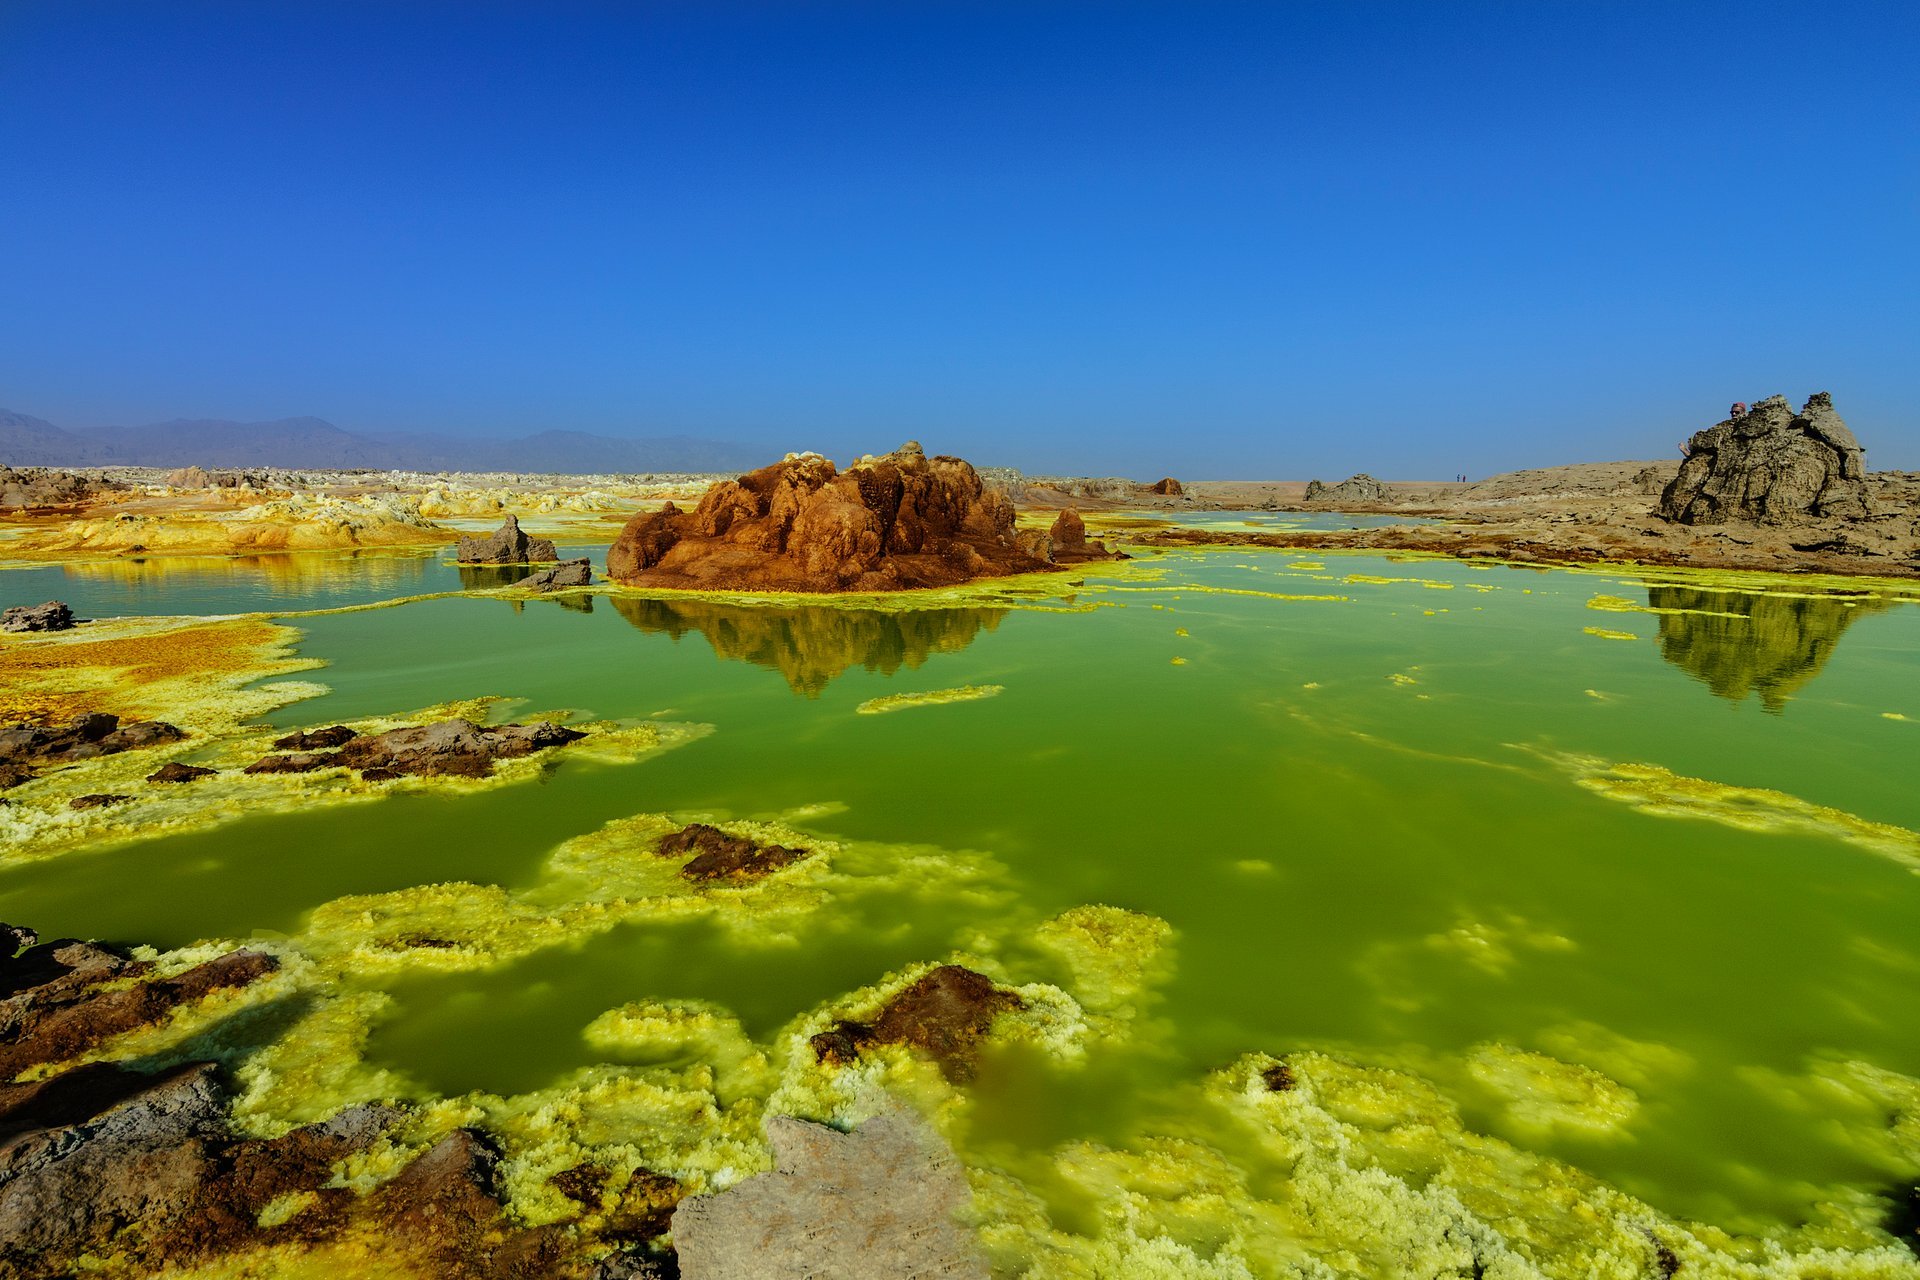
{"x": 1356, "y": 905}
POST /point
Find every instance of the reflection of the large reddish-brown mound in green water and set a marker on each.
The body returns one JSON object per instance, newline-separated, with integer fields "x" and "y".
{"x": 813, "y": 644}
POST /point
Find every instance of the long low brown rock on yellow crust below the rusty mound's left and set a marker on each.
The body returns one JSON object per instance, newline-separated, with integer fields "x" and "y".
{"x": 443, "y": 749}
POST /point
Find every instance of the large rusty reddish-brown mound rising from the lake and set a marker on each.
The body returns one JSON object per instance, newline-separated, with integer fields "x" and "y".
{"x": 884, "y": 525}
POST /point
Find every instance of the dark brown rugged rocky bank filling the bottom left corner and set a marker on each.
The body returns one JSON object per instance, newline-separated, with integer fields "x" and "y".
{"x": 105, "y": 1162}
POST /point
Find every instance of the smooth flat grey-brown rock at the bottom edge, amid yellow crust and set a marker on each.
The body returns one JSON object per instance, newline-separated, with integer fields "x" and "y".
{"x": 875, "y": 1204}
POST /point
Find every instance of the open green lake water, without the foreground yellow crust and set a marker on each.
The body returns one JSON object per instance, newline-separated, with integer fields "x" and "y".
{"x": 1380, "y": 824}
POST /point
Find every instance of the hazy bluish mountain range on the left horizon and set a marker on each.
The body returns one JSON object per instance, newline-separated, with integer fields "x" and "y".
{"x": 322, "y": 446}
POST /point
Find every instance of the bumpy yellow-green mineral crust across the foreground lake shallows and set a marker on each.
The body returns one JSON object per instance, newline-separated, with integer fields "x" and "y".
{"x": 1310, "y": 1166}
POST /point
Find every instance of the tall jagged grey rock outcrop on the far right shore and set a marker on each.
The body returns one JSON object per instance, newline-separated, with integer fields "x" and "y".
{"x": 1771, "y": 467}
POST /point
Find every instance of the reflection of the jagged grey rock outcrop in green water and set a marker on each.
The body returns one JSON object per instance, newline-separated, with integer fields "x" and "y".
{"x": 1754, "y": 644}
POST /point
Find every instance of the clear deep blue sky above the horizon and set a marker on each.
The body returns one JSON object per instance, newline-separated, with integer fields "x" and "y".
{"x": 1193, "y": 239}
